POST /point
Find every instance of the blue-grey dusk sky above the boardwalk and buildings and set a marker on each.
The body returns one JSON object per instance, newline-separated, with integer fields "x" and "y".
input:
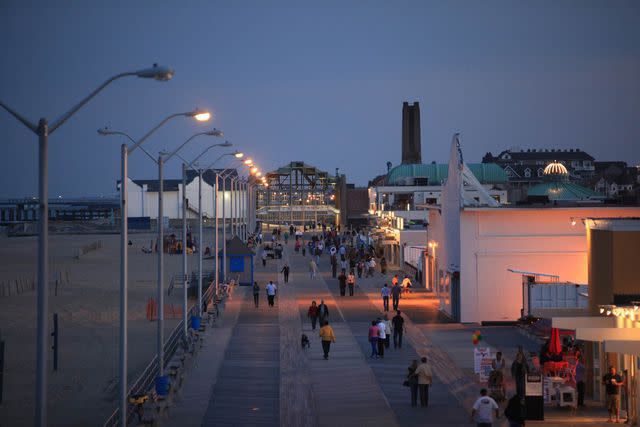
{"x": 322, "y": 82}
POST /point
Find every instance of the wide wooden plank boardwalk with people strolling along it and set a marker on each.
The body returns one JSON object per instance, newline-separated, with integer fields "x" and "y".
{"x": 259, "y": 375}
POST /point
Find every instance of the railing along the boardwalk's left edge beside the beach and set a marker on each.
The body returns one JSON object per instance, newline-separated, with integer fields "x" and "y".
{"x": 146, "y": 379}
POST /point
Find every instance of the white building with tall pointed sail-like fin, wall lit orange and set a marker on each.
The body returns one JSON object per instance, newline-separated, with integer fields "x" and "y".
{"x": 471, "y": 248}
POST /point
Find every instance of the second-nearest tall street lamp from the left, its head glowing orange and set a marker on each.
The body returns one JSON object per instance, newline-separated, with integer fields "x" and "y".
{"x": 125, "y": 151}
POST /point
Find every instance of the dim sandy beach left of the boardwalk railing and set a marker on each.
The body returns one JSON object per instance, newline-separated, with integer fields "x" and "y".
{"x": 83, "y": 390}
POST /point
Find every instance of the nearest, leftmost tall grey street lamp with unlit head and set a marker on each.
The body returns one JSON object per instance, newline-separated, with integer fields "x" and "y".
{"x": 43, "y": 130}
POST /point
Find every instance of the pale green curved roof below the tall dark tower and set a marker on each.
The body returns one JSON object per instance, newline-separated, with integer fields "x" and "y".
{"x": 486, "y": 173}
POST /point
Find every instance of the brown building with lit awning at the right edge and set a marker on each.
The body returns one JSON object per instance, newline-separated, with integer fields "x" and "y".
{"x": 611, "y": 324}
